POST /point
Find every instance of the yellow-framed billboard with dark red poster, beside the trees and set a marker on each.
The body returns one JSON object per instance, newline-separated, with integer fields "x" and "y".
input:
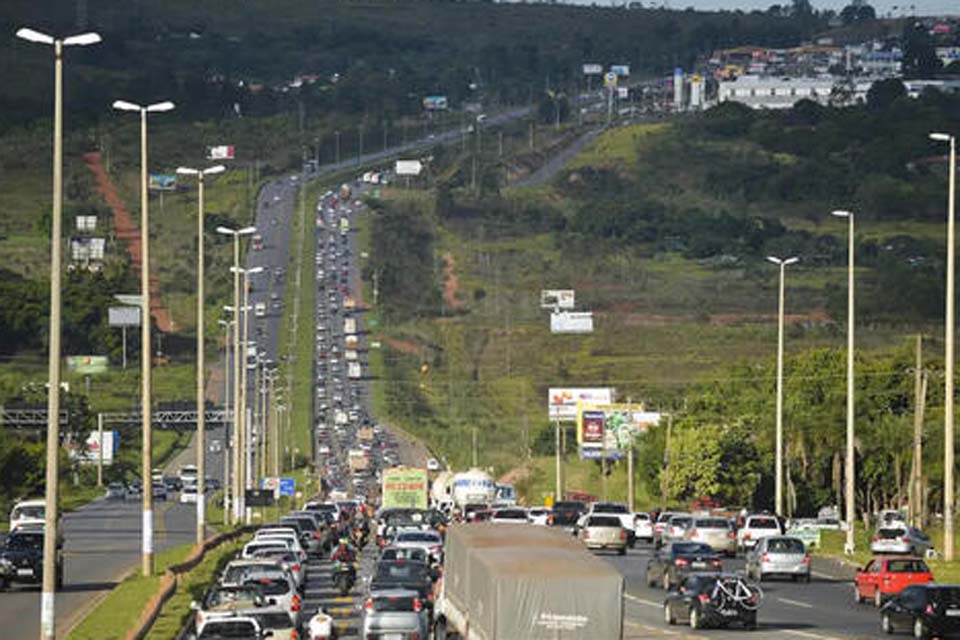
{"x": 612, "y": 427}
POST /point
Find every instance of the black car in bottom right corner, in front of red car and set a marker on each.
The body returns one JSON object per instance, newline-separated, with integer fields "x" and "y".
{"x": 928, "y": 610}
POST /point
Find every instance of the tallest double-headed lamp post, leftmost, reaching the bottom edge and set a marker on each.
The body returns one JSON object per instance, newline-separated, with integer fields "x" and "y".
{"x": 47, "y": 609}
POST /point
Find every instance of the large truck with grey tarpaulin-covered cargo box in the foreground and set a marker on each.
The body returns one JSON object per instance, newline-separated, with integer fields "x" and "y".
{"x": 506, "y": 581}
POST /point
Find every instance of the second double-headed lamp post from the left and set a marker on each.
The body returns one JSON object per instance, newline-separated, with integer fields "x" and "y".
{"x": 145, "y": 324}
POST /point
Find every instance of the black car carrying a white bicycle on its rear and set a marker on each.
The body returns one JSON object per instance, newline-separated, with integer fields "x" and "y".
{"x": 713, "y": 600}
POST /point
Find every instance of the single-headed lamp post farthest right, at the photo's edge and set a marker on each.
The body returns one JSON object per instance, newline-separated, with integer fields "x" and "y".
{"x": 948, "y": 493}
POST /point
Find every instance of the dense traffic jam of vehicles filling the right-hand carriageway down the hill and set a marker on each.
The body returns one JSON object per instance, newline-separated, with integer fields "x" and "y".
{"x": 401, "y": 549}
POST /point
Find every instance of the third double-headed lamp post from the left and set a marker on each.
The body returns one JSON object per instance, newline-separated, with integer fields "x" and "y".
{"x": 201, "y": 368}
